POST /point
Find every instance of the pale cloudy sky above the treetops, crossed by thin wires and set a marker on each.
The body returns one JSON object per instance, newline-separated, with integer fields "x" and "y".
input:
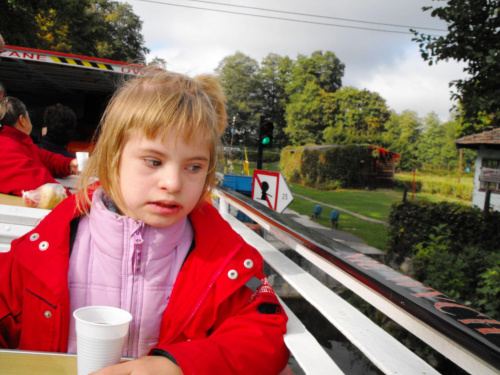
{"x": 193, "y": 36}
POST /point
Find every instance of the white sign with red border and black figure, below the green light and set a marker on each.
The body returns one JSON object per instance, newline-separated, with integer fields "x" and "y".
{"x": 271, "y": 189}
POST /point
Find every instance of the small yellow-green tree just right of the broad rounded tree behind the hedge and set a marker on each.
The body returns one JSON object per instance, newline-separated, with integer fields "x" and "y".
{"x": 402, "y": 135}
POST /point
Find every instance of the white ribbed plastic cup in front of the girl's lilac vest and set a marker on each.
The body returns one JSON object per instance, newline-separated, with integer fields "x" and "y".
{"x": 100, "y": 335}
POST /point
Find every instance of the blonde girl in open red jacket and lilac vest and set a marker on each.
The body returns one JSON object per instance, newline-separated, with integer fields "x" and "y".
{"x": 144, "y": 239}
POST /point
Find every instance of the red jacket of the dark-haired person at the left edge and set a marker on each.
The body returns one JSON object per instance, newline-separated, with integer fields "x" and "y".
{"x": 23, "y": 166}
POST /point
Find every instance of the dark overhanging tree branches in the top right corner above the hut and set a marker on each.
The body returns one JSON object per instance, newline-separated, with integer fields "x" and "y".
{"x": 474, "y": 38}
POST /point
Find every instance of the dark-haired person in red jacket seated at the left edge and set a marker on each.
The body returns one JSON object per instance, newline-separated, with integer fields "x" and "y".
{"x": 23, "y": 166}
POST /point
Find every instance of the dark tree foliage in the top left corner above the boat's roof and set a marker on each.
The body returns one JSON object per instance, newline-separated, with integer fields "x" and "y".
{"x": 97, "y": 28}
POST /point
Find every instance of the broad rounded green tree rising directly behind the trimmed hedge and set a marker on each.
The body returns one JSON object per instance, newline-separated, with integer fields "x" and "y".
{"x": 358, "y": 116}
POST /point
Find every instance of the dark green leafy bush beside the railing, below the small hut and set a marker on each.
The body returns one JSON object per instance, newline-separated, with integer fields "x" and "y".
{"x": 453, "y": 249}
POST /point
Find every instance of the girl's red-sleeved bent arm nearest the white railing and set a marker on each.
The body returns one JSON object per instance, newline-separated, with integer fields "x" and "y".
{"x": 247, "y": 337}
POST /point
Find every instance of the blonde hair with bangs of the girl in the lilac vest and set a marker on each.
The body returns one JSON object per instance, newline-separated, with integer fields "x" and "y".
{"x": 153, "y": 105}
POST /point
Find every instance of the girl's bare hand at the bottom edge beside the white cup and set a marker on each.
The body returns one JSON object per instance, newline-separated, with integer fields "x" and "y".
{"x": 148, "y": 365}
